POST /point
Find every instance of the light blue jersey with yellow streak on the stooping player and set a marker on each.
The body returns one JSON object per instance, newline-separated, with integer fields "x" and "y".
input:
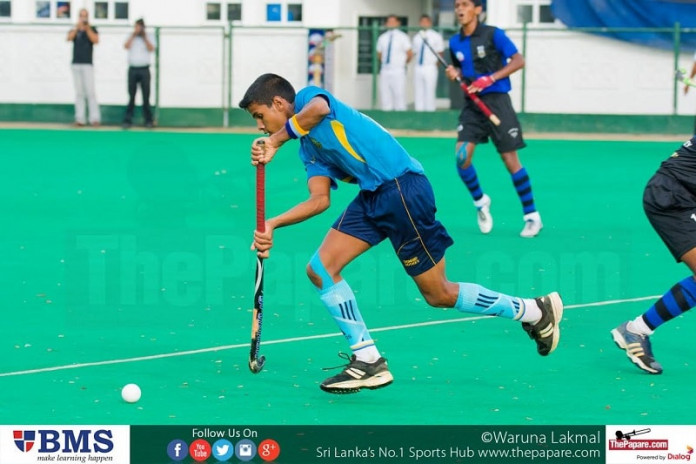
{"x": 349, "y": 146}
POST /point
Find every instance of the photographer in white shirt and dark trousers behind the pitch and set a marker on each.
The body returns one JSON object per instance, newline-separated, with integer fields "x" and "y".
{"x": 140, "y": 45}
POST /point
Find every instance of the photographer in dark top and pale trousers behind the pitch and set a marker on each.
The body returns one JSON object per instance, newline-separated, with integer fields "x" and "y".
{"x": 84, "y": 37}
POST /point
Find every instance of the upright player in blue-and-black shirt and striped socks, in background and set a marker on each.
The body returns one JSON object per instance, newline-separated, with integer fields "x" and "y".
{"x": 483, "y": 56}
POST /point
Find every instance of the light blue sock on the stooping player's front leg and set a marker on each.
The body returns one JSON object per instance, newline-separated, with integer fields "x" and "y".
{"x": 340, "y": 301}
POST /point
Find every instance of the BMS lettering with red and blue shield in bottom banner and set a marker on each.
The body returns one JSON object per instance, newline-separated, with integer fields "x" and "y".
{"x": 65, "y": 441}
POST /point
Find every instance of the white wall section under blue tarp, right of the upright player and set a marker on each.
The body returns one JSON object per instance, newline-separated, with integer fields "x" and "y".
{"x": 582, "y": 73}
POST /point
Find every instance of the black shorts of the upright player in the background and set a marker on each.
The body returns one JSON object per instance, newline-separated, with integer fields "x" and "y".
{"x": 475, "y": 127}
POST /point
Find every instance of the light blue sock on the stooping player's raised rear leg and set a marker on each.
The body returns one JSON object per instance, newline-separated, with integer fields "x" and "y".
{"x": 474, "y": 298}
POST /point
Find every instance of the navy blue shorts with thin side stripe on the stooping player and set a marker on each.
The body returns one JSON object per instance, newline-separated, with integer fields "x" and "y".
{"x": 404, "y": 211}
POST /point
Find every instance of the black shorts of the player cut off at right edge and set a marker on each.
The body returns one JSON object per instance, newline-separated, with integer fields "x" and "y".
{"x": 671, "y": 209}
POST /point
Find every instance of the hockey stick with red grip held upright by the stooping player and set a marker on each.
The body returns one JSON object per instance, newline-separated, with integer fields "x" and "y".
{"x": 256, "y": 362}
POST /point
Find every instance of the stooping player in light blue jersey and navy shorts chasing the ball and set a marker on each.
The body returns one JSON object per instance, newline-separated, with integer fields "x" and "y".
{"x": 395, "y": 201}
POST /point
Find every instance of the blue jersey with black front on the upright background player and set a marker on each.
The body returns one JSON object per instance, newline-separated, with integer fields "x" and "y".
{"x": 482, "y": 53}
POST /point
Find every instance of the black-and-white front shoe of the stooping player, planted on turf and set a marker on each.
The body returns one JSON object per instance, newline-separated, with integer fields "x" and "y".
{"x": 357, "y": 375}
